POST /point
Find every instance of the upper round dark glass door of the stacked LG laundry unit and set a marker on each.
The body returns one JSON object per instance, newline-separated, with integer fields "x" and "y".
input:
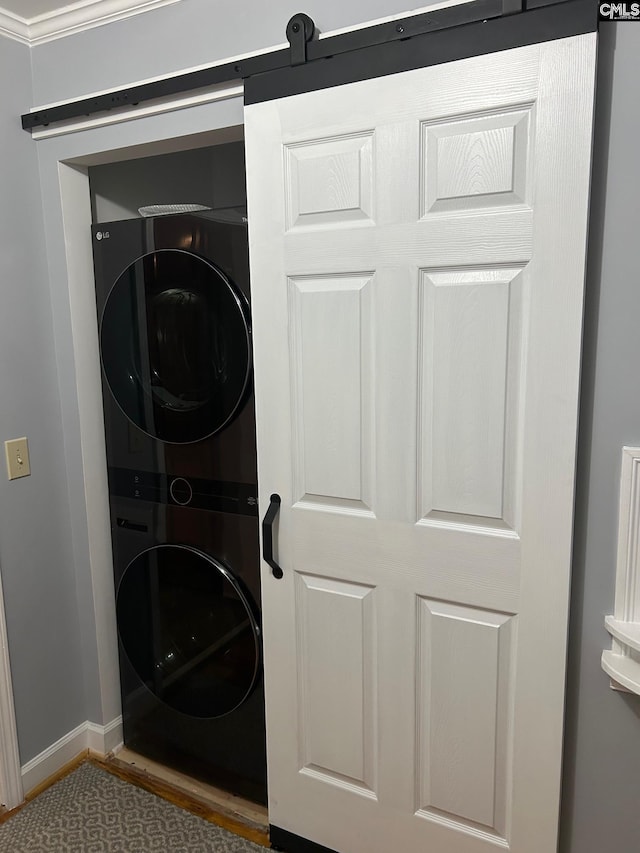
{"x": 175, "y": 342}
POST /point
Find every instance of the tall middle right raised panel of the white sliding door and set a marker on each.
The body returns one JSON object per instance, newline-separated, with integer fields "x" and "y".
{"x": 471, "y": 373}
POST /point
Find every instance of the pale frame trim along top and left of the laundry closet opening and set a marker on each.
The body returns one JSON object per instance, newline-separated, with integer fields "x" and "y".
{"x": 64, "y": 170}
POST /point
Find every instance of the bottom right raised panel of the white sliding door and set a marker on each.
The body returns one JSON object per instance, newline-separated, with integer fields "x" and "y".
{"x": 465, "y": 659}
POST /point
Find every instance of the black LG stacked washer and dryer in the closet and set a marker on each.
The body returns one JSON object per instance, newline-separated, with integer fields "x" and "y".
{"x": 175, "y": 343}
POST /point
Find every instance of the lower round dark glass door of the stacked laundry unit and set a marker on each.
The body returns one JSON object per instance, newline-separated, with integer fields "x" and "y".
{"x": 189, "y": 629}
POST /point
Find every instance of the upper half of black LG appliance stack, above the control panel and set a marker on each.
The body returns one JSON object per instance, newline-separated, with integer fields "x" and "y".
{"x": 175, "y": 343}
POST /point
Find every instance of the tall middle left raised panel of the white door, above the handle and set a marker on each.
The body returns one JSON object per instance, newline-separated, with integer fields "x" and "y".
{"x": 331, "y": 368}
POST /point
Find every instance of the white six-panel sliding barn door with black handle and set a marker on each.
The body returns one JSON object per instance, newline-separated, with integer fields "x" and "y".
{"x": 417, "y": 252}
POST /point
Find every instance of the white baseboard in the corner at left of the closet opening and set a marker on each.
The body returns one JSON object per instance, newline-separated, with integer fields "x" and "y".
{"x": 100, "y": 739}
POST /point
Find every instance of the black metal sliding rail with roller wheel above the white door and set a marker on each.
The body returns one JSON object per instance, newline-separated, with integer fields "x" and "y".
{"x": 429, "y": 38}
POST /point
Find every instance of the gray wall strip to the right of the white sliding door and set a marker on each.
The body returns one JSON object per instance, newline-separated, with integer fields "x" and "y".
{"x": 601, "y": 793}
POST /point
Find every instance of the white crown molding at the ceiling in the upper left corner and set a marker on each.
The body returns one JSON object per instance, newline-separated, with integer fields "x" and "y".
{"x": 72, "y": 19}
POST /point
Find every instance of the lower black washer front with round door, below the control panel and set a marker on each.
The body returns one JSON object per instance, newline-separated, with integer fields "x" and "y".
{"x": 189, "y": 640}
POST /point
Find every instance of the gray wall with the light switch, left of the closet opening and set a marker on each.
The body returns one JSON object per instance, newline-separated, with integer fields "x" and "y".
{"x": 35, "y": 557}
